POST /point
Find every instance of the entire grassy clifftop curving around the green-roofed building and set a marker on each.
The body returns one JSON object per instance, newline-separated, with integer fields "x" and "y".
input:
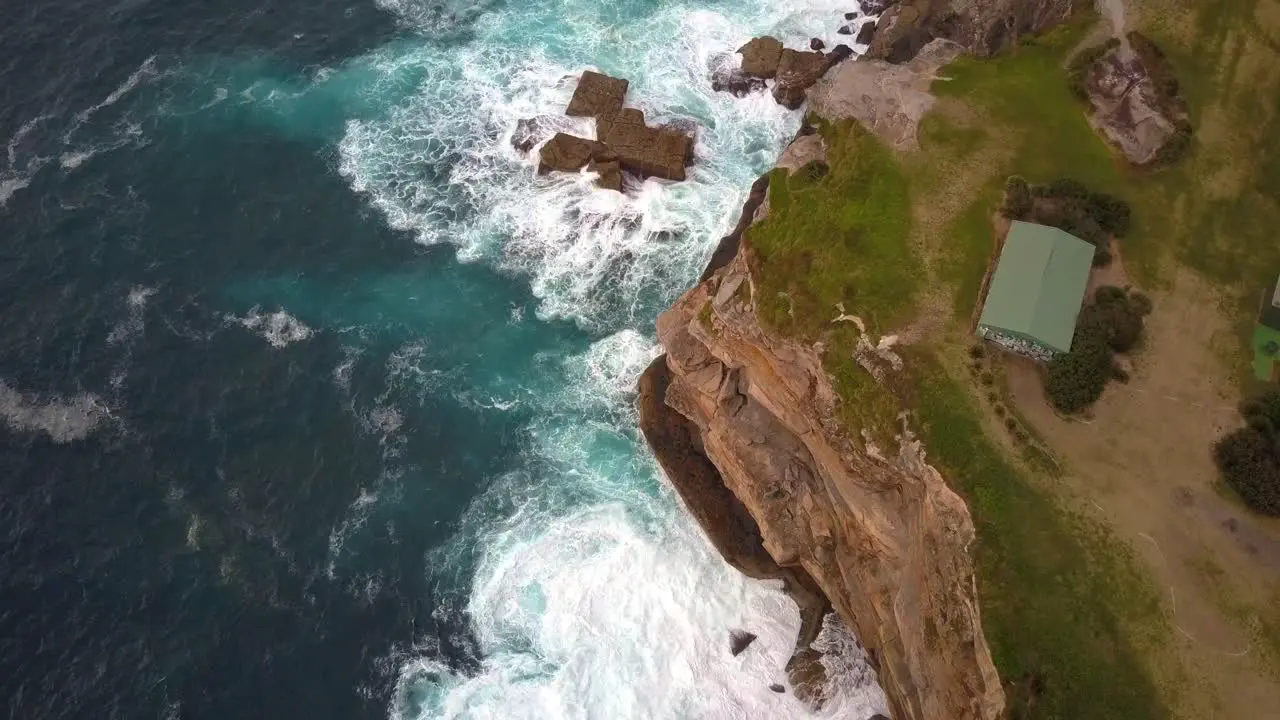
{"x": 1076, "y": 626}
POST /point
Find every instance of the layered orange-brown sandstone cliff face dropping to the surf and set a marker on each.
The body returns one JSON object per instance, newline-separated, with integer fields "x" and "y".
{"x": 744, "y": 426}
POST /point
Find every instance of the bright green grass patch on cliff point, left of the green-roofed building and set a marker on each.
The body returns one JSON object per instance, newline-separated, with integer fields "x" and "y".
{"x": 842, "y": 239}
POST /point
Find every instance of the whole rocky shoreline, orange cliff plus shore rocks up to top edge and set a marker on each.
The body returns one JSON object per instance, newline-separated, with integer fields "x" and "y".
{"x": 746, "y": 421}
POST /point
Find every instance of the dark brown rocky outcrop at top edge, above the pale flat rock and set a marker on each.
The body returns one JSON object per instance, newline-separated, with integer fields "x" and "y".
{"x": 981, "y": 28}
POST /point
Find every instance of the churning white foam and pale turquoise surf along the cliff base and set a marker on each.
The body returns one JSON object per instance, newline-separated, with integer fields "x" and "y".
{"x": 593, "y": 595}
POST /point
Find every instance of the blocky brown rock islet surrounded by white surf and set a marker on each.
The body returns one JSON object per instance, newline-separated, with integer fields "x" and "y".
{"x": 625, "y": 143}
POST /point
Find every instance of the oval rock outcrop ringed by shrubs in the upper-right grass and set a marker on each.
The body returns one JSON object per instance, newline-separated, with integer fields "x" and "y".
{"x": 1135, "y": 102}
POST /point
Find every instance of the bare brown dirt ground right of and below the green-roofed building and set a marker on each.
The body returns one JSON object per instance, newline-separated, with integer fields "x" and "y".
{"x": 1142, "y": 464}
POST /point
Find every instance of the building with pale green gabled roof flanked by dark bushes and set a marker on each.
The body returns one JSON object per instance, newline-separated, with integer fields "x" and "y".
{"x": 1036, "y": 291}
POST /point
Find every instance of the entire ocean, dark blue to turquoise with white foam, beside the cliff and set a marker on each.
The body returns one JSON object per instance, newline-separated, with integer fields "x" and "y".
{"x": 317, "y": 402}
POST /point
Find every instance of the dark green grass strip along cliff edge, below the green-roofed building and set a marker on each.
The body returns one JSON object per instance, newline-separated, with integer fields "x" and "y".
{"x": 1060, "y": 601}
